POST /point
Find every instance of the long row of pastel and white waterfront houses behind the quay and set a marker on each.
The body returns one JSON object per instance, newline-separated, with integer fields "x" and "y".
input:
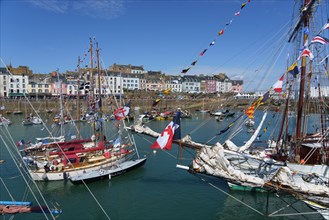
{"x": 113, "y": 81}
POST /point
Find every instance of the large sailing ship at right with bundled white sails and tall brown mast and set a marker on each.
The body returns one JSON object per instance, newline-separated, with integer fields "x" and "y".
{"x": 304, "y": 173}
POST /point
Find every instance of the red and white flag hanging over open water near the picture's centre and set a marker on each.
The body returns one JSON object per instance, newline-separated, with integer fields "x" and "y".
{"x": 164, "y": 141}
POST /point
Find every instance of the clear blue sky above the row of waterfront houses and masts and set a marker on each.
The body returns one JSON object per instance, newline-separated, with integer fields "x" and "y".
{"x": 161, "y": 35}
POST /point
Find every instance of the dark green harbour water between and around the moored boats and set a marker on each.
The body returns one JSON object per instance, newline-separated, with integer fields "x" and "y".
{"x": 157, "y": 190}
